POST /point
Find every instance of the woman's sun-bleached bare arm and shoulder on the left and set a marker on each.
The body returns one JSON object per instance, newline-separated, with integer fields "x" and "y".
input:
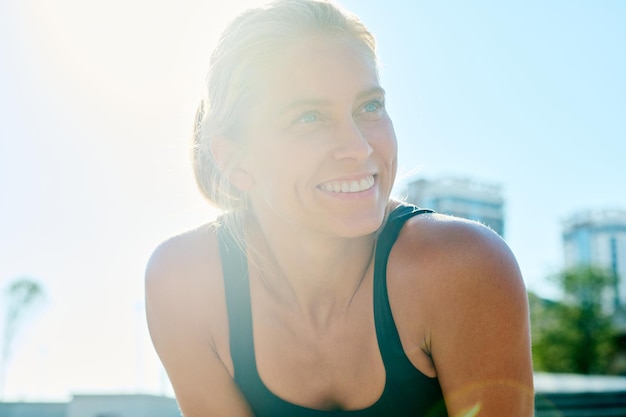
{"x": 185, "y": 312}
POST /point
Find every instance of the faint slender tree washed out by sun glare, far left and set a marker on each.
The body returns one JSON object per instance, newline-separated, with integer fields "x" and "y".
{"x": 19, "y": 299}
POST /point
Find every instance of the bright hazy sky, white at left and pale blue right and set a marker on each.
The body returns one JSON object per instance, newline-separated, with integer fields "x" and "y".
{"x": 96, "y": 104}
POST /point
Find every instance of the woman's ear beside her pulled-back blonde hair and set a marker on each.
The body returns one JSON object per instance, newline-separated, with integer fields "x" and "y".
{"x": 228, "y": 159}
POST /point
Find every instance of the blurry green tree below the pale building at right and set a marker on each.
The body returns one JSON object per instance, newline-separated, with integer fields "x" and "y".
{"x": 576, "y": 334}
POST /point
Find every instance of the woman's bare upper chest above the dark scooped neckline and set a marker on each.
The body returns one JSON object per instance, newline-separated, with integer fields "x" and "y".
{"x": 327, "y": 365}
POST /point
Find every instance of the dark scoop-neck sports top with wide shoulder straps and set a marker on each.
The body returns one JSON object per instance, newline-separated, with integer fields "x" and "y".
{"x": 407, "y": 392}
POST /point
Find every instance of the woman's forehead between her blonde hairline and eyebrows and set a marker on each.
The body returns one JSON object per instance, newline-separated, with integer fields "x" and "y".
{"x": 318, "y": 68}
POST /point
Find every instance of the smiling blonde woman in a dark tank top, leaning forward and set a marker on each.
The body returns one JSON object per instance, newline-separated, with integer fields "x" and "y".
{"x": 315, "y": 294}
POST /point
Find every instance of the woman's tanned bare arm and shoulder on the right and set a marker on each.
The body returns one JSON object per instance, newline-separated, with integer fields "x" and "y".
{"x": 461, "y": 284}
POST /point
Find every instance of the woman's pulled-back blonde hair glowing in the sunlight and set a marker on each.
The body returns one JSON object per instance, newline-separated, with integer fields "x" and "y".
{"x": 249, "y": 43}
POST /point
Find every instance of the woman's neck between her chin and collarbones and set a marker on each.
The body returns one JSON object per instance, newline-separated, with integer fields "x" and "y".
{"x": 316, "y": 275}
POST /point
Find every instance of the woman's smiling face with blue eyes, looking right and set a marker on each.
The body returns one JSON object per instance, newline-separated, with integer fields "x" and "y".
{"x": 320, "y": 147}
